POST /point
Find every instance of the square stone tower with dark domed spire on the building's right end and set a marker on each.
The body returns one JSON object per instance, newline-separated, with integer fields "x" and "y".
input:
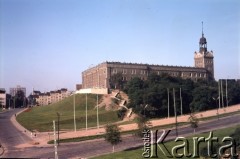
{"x": 204, "y": 58}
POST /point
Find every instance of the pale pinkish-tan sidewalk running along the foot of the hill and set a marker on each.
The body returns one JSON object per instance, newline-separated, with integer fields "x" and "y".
{"x": 42, "y": 138}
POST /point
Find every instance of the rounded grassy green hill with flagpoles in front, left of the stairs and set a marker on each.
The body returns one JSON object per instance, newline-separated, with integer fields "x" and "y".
{"x": 40, "y": 118}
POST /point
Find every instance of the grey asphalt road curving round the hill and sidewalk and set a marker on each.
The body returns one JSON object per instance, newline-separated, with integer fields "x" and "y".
{"x": 11, "y": 138}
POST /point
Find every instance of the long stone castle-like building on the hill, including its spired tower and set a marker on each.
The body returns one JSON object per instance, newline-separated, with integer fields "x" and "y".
{"x": 100, "y": 75}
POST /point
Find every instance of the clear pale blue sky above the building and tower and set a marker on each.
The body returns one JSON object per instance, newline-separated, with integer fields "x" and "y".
{"x": 47, "y": 44}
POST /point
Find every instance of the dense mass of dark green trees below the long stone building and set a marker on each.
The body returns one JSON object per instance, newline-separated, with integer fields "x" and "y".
{"x": 196, "y": 96}
